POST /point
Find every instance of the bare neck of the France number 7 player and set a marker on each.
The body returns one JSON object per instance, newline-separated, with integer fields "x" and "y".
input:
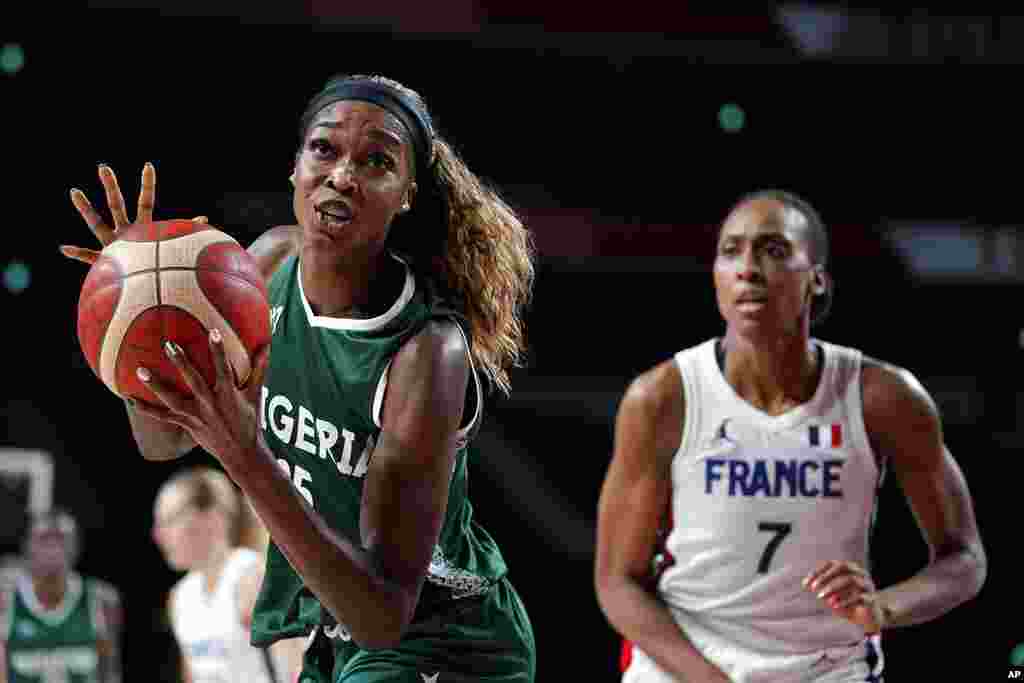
{"x": 775, "y": 376}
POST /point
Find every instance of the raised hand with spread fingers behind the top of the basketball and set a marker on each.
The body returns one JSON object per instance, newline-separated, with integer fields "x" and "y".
{"x": 116, "y": 203}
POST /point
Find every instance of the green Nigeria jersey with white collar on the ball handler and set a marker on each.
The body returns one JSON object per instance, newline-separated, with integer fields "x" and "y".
{"x": 321, "y": 416}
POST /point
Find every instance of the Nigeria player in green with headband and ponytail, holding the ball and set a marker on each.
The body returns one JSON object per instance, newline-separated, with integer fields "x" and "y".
{"x": 396, "y": 301}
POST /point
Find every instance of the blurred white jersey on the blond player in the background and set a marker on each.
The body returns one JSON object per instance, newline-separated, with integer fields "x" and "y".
{"x": 207, "y": 626}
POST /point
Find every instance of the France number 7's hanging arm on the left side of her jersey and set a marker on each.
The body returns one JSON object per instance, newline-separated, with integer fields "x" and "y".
{"x": 637, "y": 490}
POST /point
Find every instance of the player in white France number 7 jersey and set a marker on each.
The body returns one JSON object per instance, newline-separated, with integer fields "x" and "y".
{"x": 767, "y": 449}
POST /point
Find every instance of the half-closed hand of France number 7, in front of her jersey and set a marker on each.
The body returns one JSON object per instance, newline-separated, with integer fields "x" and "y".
{"x": 849, "y": 592}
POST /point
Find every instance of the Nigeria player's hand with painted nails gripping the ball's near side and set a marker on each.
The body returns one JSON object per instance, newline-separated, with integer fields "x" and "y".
{"x": 222, "y": 418}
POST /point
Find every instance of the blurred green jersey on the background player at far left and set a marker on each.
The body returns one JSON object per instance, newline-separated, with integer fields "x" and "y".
{"x": 53, "y": 646}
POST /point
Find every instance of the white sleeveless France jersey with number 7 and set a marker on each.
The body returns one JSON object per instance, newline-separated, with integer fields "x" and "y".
{"x": 758, "y": 502}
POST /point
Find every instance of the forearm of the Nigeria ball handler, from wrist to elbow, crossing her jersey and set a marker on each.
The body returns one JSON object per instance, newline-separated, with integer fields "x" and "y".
{"x": 336, "y": 571}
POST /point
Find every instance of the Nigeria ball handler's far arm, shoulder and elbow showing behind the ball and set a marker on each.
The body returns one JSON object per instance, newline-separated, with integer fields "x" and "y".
{"x": 159, "y": 441}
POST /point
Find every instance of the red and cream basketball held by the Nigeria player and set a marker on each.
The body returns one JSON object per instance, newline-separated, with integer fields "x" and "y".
{"x": 170, "y": 281}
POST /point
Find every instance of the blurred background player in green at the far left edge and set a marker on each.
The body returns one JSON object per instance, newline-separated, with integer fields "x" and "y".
{"x": 57, "y": 625}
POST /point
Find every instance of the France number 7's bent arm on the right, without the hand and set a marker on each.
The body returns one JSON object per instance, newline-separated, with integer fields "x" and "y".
{"x": 905, "y": 426}
